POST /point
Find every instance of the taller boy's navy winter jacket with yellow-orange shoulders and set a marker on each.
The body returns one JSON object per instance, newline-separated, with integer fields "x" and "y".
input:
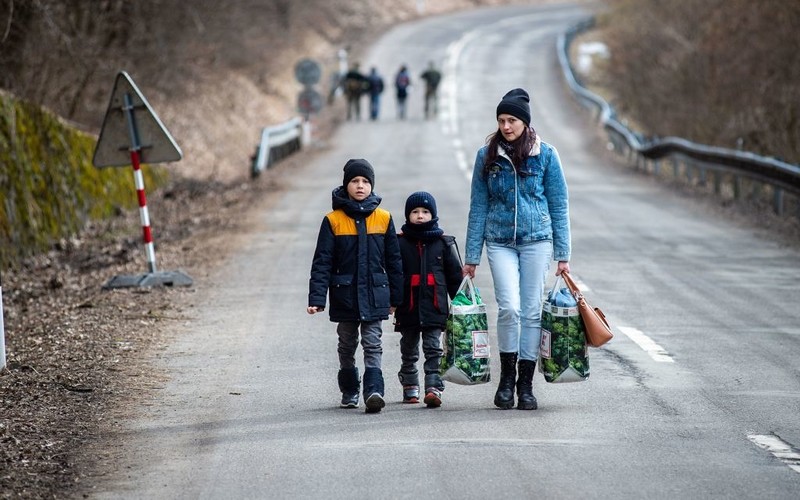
{"x": 357, "y": 261}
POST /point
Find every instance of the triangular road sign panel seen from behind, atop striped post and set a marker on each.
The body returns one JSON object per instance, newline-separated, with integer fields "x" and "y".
{"x": 116, "y": 137}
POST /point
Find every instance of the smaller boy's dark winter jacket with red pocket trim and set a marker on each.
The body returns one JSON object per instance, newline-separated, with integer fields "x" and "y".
{"x": 425, "y": 299}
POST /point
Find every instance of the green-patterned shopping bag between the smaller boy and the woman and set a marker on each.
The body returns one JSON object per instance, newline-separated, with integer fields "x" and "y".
{"x": 465, "y": 360}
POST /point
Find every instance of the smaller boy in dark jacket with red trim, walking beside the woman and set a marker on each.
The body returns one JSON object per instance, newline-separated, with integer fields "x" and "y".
{"x": 431, "y": 272}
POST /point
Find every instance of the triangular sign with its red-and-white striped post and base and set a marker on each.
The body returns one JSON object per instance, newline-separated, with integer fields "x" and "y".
{"x": 132, "y": 134}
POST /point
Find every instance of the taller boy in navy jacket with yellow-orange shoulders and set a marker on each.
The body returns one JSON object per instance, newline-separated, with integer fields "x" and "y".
{"x": 357, "y": 261}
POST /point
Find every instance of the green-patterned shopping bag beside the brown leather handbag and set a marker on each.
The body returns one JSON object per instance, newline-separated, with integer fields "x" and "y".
{"x": 563, "y": 353}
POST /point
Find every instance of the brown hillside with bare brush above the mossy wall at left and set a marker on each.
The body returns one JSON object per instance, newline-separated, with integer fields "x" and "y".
{"x": 214, "y": 72}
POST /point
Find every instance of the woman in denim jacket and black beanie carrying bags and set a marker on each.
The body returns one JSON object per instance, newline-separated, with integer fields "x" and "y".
{"x": 519, "y": 208}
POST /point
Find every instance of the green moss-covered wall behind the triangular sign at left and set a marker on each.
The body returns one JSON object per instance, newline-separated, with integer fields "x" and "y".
{"x": 48, "y": 186}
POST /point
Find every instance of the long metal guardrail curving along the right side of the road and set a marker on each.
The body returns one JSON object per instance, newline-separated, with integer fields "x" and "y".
{"x": 695, "y": 160}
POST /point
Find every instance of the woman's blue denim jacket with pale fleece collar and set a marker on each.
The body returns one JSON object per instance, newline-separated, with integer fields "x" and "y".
{"x": 515, "y": 209}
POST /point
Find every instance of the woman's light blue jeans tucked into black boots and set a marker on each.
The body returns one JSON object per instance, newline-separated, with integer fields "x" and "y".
{"x": 519, "y": 275}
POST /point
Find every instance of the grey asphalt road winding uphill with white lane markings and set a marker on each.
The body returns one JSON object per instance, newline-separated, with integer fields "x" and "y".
{"x": 692, "y": 399}
